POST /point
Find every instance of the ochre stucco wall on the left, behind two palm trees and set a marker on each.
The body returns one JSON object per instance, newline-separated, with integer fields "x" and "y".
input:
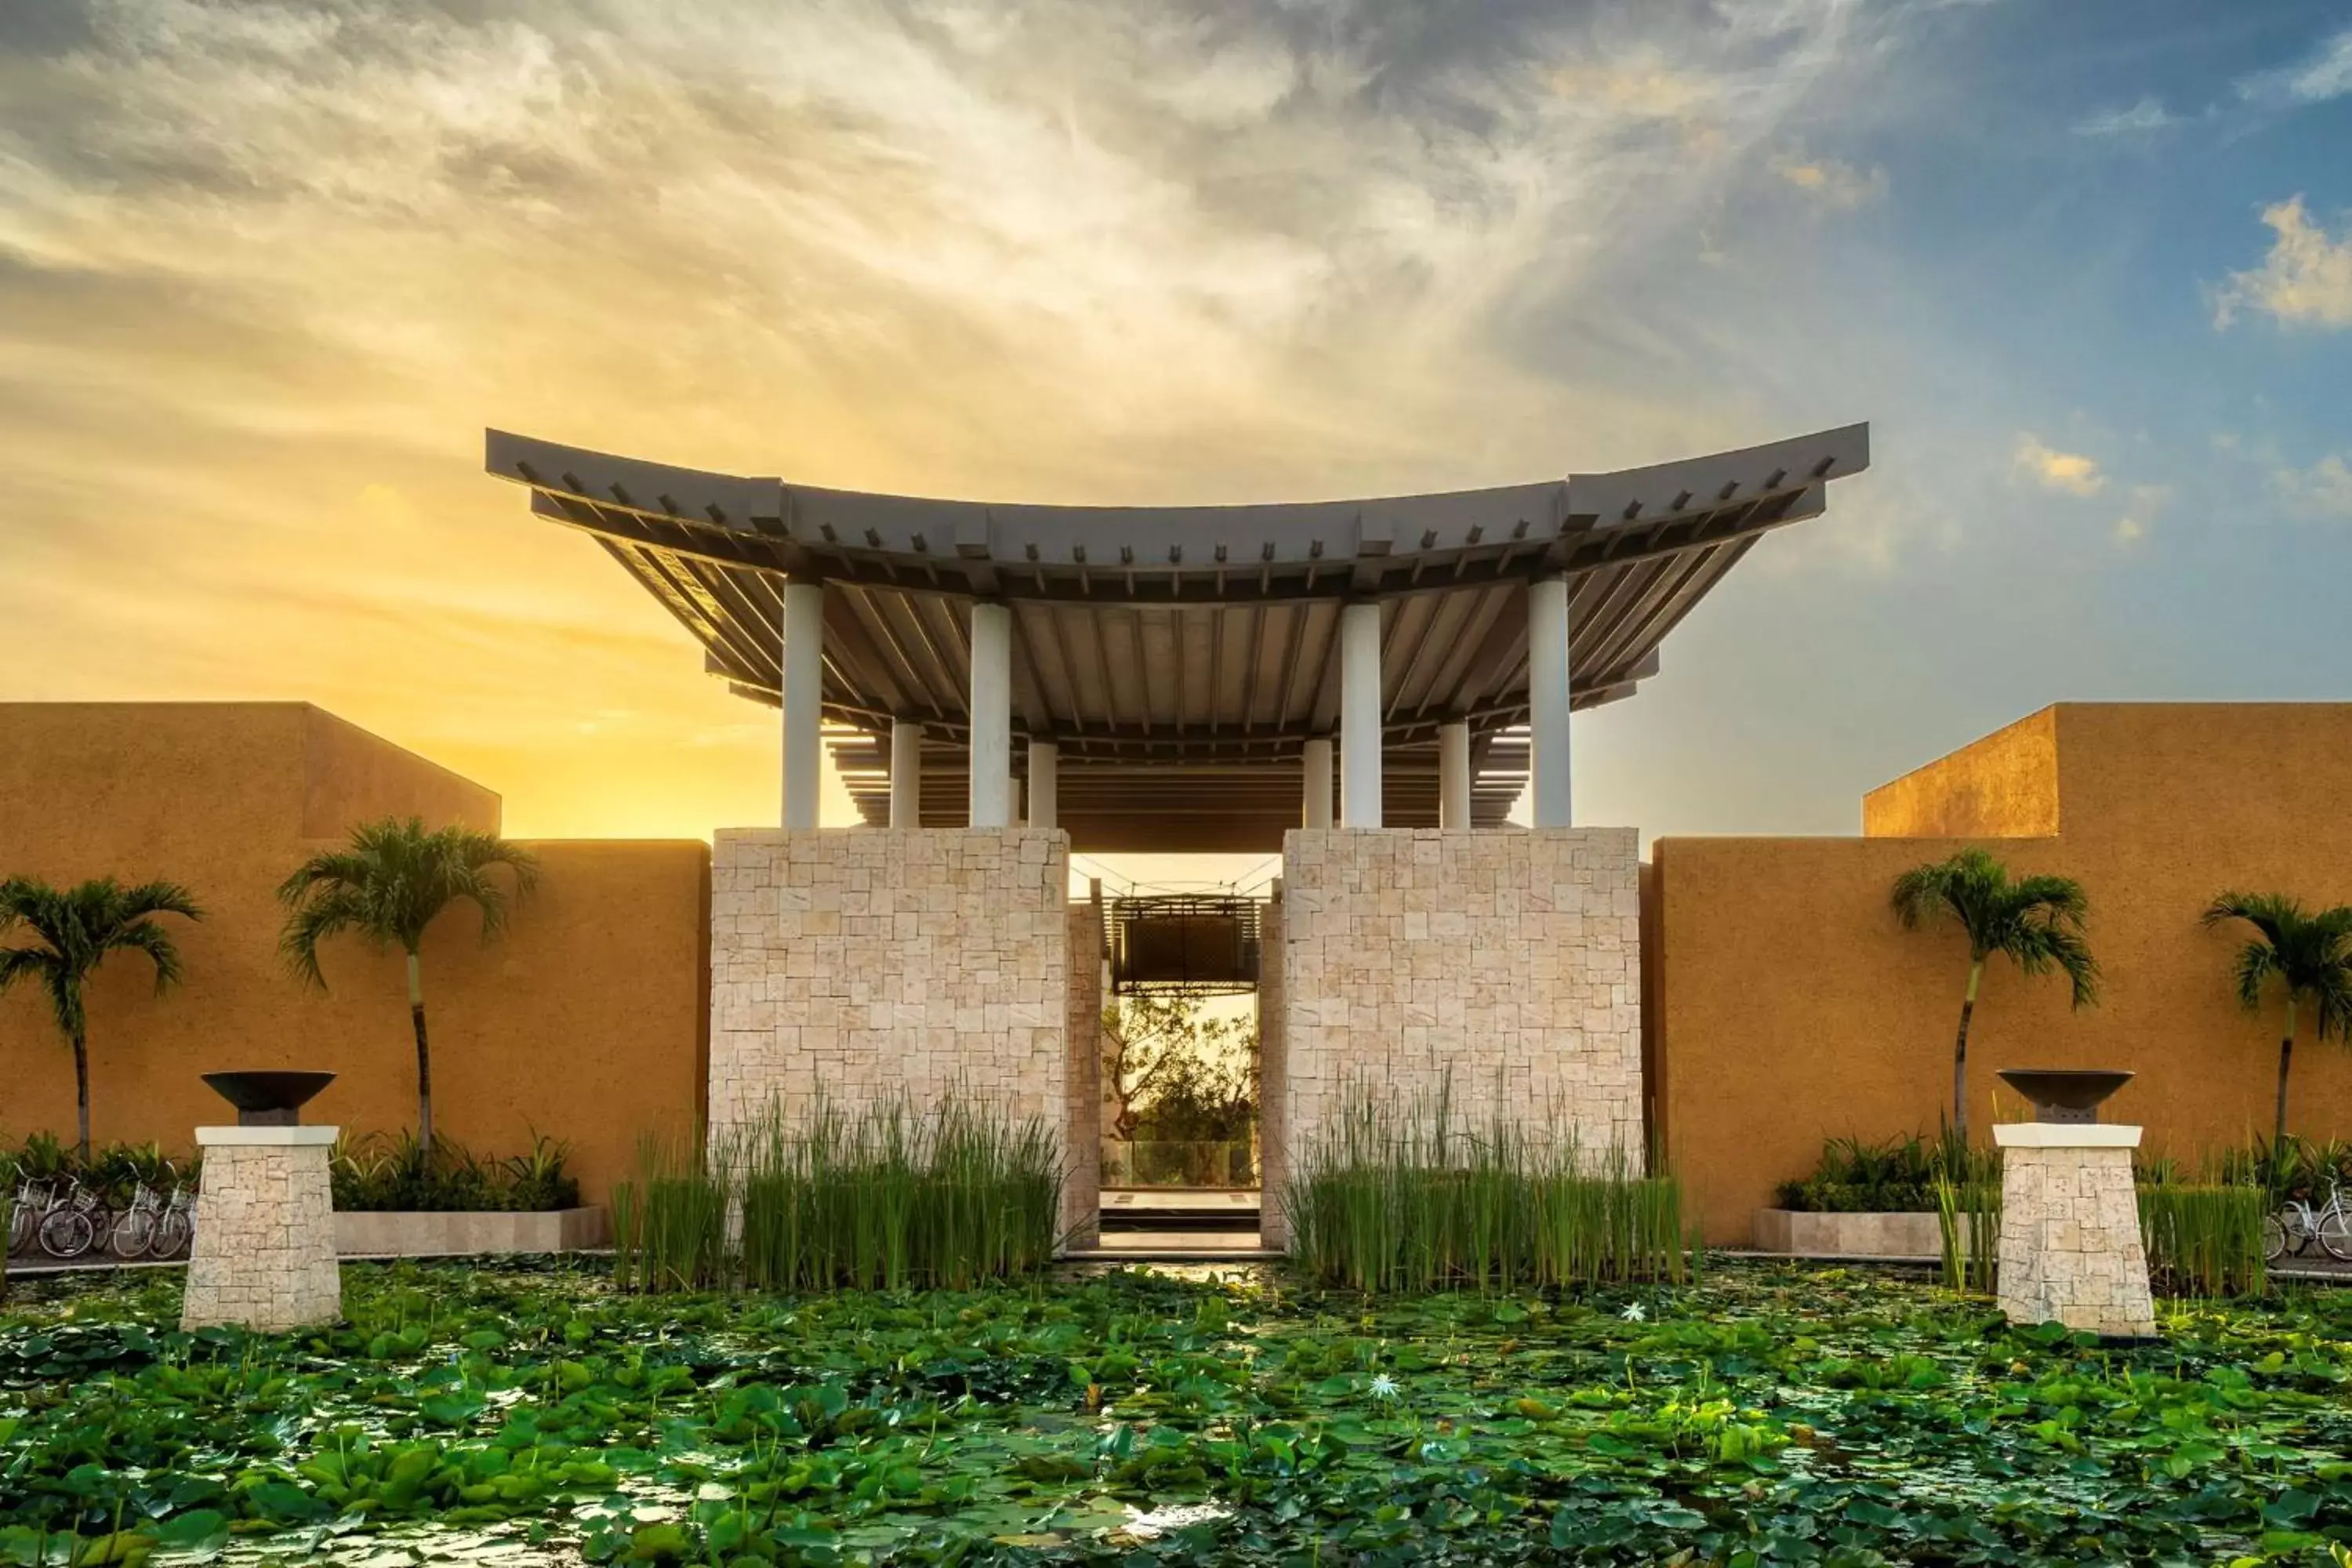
{"x": 584, "y": 1021}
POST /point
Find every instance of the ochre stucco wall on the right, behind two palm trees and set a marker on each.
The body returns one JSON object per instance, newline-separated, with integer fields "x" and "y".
{"x": 1793, "y": 1007}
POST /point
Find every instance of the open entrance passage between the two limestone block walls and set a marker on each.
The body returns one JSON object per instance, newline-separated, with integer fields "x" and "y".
{"x": 1180, "y": 1118}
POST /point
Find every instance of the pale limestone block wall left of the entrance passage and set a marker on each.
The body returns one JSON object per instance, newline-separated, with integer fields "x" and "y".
{"x": 862, "y": 965}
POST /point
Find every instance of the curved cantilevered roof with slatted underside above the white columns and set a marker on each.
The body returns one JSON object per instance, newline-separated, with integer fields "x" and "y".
{"x": 1182, "y": 655}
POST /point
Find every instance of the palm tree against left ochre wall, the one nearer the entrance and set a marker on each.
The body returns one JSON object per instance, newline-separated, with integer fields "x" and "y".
{"x": 389, "y": 885}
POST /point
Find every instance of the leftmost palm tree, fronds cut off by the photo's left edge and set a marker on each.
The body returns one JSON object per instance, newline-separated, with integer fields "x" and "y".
{"x": 76, "y": 930}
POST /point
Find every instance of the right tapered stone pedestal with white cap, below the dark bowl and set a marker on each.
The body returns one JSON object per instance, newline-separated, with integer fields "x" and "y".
{"x": 2071, "y": 1228}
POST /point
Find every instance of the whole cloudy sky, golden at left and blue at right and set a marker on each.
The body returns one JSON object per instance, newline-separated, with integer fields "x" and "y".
{"x": 267, "y": 272}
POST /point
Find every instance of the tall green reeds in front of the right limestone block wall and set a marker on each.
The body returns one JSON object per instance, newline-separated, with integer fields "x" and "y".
{"x": 1405, "y": 1200}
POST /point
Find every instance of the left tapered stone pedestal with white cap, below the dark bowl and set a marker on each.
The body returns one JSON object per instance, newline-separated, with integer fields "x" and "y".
{"x": 265, "y": 1231}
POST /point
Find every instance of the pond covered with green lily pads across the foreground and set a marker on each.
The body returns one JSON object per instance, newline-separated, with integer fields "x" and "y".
{"x": 1758, "y": 1416}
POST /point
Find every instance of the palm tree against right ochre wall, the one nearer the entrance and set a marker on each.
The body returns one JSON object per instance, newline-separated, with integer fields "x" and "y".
{"x": 2038, "y": 923}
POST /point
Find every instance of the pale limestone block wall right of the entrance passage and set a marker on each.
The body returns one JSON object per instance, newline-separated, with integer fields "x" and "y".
{"x": 1504, "y": 963}
